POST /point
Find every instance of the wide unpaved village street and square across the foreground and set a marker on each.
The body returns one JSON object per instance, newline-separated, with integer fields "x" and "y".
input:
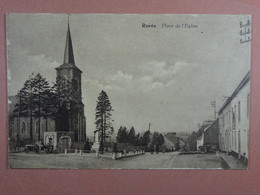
{"x": 172, "y": 160}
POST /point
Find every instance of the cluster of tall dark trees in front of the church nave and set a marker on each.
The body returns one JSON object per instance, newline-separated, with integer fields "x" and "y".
{"x": 38, "y": 99}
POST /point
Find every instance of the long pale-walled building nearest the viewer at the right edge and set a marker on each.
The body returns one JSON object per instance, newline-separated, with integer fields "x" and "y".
{"x": 234, "y": 121}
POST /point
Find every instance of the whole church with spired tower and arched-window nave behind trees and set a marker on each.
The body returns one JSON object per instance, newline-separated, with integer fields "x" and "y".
{"x": 68, "y": 127}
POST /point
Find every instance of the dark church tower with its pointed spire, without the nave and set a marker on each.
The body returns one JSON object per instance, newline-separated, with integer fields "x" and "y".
{"x": 73, "y": 116}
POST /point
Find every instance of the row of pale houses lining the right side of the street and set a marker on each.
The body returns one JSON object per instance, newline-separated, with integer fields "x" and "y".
{"x": 230, "y": 131}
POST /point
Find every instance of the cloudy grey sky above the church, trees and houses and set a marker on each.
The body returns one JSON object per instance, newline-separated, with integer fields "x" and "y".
{"x": 164, "y": 76}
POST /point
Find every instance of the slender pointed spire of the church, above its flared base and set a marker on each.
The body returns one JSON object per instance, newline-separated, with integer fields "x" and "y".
{"x": 68, "y": 54}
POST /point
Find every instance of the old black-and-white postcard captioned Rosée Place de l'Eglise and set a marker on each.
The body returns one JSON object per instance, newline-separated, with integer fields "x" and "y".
{"x": 128, "y": 91}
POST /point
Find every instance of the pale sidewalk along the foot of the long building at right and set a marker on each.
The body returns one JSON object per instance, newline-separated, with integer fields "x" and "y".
{"x": 232, "y": 162}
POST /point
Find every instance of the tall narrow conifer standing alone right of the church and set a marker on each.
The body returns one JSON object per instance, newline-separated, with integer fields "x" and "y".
{"x": 103, "y": 116}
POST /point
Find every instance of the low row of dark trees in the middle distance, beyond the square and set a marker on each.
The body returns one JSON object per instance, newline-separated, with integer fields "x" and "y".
{"x": 129, "y": 136}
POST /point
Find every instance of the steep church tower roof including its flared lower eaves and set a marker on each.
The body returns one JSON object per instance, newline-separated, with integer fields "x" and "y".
{"x": 68, "y": 61}
